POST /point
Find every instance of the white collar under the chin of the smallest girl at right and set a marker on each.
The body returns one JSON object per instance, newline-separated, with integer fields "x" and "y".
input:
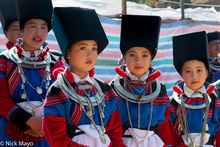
{"x": 190, "y": 93}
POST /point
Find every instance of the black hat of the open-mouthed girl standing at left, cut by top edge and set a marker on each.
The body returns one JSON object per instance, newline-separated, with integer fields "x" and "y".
{"x": 34, "y": 9}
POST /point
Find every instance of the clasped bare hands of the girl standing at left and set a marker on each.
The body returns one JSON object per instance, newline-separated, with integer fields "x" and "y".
{"x": 35, "y": 124}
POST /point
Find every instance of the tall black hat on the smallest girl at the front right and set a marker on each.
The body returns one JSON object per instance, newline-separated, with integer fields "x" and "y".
{"x": 193, "y": 46}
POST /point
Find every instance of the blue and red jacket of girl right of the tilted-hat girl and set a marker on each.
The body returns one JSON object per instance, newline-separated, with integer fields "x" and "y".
{"x": 160, "y": 109}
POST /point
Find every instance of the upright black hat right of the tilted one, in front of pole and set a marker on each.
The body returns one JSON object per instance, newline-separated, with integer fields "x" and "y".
{"x": 140, "y": 31}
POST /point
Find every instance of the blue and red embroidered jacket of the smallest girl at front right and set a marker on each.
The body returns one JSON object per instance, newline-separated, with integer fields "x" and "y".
{"x": 195, "y": 116}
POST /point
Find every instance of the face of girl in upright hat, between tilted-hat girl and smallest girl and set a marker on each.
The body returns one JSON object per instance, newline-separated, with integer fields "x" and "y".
{"x": 138, "y": 60}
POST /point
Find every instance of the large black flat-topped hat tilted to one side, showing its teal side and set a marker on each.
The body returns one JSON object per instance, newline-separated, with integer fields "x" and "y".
{"x": 71, "y": 24}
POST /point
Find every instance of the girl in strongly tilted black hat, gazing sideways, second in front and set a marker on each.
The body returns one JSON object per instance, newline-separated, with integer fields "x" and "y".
{"x": 80, "y": 110}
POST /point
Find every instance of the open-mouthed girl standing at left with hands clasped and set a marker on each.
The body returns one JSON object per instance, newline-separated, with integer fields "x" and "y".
{"x": 25, "y": 76}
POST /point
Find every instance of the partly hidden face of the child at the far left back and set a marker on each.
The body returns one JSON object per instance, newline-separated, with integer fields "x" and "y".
{"x": 13, "y": 32}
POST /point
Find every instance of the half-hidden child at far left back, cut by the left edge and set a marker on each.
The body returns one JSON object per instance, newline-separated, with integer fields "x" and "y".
{"x": 9, "y": 20}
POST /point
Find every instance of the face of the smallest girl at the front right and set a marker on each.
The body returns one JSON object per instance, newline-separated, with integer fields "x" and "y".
{"x": 194, "y": 74}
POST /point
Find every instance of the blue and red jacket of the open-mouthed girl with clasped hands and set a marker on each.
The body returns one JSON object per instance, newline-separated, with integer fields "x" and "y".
{"x": 13, "y": 117}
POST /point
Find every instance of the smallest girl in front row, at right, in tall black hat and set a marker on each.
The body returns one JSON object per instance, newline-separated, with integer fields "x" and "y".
{"x": 195, "y": 107}
